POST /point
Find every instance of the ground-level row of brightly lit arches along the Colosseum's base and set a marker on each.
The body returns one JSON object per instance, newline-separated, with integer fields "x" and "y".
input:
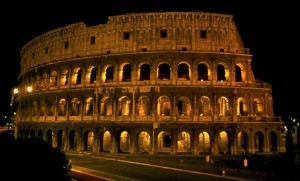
{"x": 164, "y": 141}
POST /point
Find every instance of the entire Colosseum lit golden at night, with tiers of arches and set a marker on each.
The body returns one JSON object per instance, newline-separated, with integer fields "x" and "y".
{"x": 151, "y": 83}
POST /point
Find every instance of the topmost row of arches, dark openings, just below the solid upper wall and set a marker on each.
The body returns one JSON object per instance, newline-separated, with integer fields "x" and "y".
{"x": 125, "y": 73}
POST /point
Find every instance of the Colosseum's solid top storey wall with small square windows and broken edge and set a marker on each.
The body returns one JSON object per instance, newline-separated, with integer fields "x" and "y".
{"x": 130, "y": 33}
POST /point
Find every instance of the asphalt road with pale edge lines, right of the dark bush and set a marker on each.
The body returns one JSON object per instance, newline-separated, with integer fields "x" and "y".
{"x": 121, "y": 170}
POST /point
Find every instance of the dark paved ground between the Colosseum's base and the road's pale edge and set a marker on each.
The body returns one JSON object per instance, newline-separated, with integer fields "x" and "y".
{"x": 222, "y": 164}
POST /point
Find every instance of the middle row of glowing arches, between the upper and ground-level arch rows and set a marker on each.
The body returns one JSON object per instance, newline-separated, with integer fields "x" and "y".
{"x": 142, "y": 106}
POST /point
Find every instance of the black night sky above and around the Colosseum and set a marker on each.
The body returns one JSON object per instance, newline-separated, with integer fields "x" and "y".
{"x": 267, "y": 28}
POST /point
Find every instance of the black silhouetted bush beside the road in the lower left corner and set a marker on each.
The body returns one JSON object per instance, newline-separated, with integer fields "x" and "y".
{"x": 32, "y": 159}
